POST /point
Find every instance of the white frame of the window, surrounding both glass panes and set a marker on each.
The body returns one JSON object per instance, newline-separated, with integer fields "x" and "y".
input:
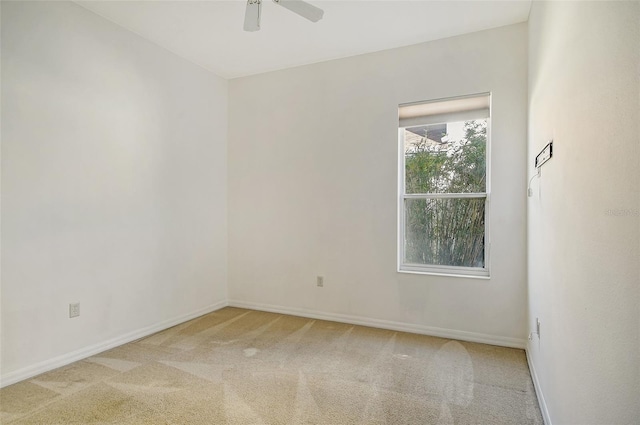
{"x": 432, "y": 269}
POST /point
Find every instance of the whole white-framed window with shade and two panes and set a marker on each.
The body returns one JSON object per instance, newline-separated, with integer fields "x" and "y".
{"x": 443, "y": 185}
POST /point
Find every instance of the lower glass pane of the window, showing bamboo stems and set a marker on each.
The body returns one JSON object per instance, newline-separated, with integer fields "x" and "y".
{"x": 444, "y": 232}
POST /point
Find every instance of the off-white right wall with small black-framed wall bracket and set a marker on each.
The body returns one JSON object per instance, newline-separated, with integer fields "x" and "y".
{"x": 584, "y": 217}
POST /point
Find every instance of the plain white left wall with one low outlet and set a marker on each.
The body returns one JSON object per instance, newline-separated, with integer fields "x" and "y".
{"x": 113, "y": 185}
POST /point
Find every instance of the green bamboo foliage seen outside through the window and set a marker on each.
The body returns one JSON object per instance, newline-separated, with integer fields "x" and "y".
{"x": 446, "y": 231}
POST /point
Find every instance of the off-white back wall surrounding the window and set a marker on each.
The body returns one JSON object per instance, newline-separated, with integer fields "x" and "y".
{"x": 313, "y": 187}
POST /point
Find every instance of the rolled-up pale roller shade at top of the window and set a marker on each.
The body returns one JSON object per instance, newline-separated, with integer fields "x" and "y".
{"x": 446, "y": 110}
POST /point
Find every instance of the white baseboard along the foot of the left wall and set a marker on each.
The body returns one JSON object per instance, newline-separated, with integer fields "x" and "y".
{"x": 83, "y": 353}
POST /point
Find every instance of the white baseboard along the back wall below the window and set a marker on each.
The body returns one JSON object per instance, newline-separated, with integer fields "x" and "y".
{"x": 386, "y": 324}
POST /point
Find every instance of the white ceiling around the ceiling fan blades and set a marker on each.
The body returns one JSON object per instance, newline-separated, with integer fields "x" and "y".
{"x": 210, "y": 33}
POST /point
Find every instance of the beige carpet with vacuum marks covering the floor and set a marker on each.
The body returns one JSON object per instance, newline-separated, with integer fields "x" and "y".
{"x": 237, "y": 366}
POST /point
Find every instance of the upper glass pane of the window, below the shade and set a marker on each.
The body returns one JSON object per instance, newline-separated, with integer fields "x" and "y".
{"x": 446, "y": 158}
